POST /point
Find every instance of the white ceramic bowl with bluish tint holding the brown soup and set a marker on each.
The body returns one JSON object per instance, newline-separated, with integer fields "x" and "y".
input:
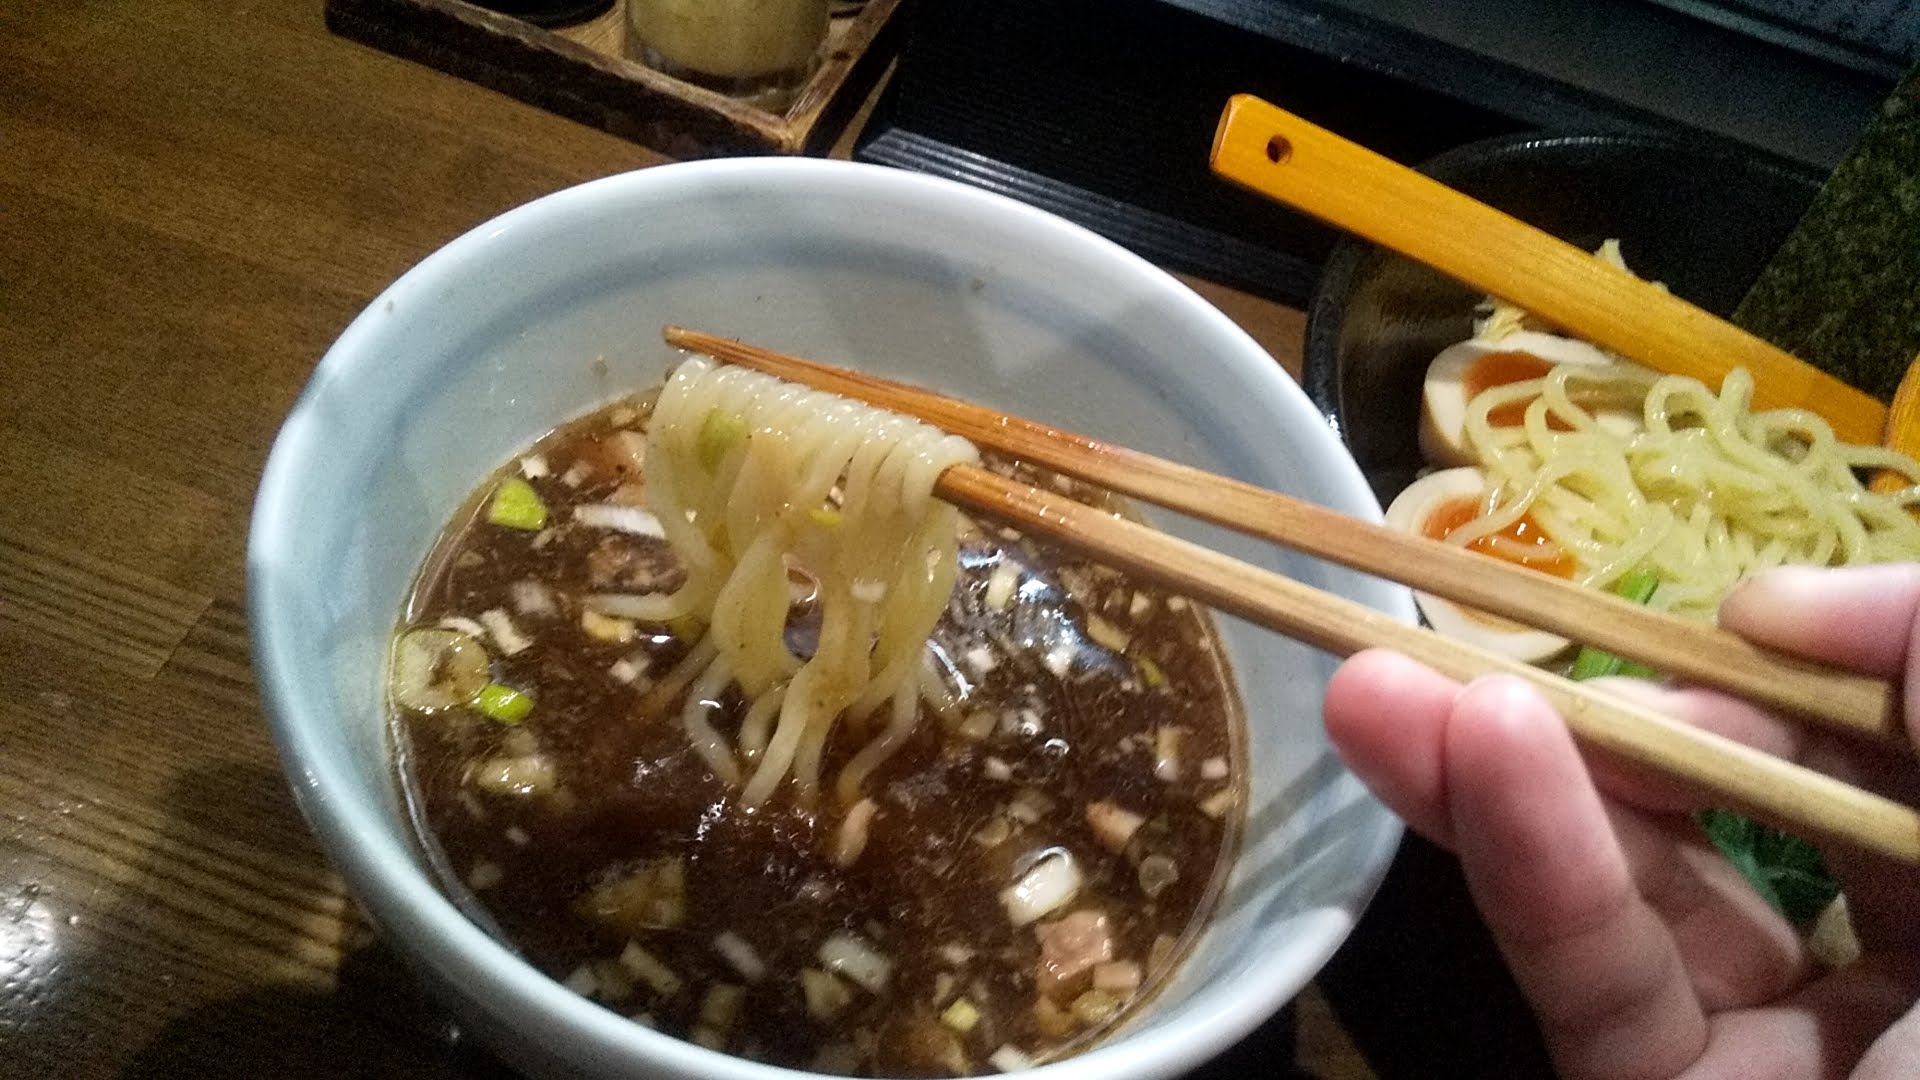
{"x": 554, "y": 308}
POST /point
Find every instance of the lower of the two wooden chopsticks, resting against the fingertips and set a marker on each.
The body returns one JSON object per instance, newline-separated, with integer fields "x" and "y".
{"x": 1725, "y": 772}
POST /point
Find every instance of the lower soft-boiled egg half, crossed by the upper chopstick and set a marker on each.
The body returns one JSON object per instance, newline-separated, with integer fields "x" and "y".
{"x": 1441, "y": 503}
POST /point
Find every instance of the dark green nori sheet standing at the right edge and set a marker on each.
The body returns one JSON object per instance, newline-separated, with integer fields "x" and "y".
{"x": 1844, "y": 293}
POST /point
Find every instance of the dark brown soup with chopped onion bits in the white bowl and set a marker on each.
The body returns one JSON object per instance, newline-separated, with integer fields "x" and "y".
{"x": 1084, "y": 725}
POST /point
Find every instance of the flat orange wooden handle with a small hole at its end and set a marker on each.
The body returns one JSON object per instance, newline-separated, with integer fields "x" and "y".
{"x": 1285, "y": 159}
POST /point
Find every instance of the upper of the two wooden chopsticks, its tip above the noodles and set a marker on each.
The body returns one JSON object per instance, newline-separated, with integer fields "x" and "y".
{"x": 1694, "y": 652}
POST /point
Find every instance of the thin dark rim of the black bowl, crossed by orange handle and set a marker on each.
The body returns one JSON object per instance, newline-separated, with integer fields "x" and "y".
{"x": 1320, "y": 374}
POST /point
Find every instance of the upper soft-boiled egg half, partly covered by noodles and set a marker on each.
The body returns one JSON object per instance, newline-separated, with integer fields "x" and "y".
{"x": 1468, "y": 370}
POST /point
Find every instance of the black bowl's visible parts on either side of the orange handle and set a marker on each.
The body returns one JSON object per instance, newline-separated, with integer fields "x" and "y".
{"x": 1700, "y": 216}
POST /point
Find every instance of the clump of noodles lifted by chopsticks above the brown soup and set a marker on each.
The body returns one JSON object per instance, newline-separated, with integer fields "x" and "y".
{"x": 752, "y": 476}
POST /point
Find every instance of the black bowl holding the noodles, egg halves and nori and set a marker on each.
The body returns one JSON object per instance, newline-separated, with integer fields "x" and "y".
{"x": 1420, "y": 983}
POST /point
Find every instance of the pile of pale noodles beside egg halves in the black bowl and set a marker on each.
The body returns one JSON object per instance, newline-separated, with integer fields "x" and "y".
{"x": 1704, "y": 493}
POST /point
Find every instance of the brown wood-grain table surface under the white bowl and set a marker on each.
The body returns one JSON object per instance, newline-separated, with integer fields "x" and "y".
{"x": 195, "y": 199}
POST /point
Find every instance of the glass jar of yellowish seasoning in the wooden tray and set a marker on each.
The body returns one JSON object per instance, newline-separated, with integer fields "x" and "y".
{"x": 759, "y": 51}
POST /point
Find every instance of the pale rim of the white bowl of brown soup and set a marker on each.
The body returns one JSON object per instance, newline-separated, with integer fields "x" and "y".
{"x": 443, "y": 941}
